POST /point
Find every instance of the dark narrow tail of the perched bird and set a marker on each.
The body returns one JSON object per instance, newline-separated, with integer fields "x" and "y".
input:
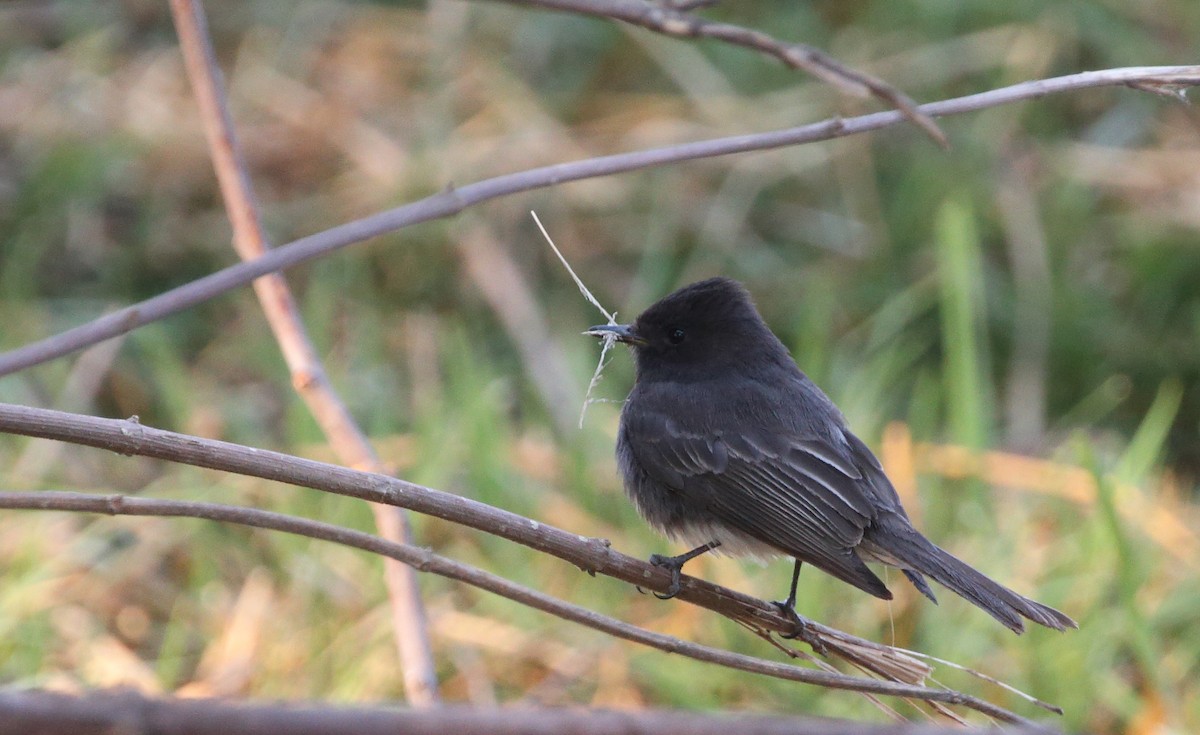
{"x": 917, "y": 555}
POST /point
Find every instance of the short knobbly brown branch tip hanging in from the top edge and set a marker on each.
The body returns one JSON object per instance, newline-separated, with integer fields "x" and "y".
{"x": 676, "y": 21}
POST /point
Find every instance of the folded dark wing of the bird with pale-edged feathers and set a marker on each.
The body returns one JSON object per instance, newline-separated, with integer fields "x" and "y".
{"x": 801, "y": 495}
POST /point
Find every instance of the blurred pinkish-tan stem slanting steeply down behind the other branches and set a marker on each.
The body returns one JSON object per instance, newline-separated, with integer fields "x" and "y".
{"x": 309, "y": 377}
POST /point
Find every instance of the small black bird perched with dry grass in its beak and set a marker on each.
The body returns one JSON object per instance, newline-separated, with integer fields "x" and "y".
{"x": 725, "y": 444}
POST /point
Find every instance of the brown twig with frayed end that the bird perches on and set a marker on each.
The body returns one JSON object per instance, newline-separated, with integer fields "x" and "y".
{"x": 592, "y": 555}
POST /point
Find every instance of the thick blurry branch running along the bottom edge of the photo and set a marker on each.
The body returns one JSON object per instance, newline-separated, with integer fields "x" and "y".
{"x": 107, "y": 713}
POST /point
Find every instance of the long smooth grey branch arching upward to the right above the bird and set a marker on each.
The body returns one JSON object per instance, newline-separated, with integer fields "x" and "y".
{"x": 453, "y": 201}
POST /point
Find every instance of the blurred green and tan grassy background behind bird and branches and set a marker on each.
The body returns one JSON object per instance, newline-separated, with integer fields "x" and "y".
{"x": 1034, "y": 291}
